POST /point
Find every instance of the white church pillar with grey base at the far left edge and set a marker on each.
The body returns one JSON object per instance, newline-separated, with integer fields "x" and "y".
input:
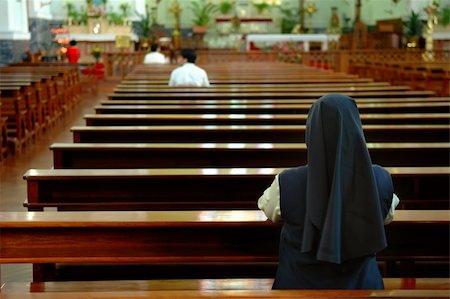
{"x": 14, "y": 33}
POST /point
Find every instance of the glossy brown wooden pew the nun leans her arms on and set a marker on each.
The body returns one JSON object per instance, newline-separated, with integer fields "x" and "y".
{"x": 177, "y": 238}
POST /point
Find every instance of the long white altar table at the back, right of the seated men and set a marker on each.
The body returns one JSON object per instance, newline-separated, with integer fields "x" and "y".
{"x": 269, "y": 40}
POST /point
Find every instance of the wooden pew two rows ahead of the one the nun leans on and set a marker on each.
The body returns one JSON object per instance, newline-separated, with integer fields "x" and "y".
{"x": 191, "y": 155}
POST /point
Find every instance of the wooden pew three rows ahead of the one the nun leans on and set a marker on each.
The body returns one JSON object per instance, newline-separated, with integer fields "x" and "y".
{"x": 249, "y": 134}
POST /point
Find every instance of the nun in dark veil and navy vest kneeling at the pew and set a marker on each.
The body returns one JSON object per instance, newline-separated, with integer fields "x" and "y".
{"x": 333, "y": 210}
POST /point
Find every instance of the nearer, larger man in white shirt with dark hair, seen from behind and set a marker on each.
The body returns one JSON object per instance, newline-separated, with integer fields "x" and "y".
{"x": 188, "y": 74}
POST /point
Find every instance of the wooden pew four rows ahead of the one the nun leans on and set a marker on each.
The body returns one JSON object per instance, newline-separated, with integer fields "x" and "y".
{"x": 252, "y": 119}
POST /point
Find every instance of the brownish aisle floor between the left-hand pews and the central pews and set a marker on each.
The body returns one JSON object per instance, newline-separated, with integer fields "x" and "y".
{"x": 13, "y": 189}
